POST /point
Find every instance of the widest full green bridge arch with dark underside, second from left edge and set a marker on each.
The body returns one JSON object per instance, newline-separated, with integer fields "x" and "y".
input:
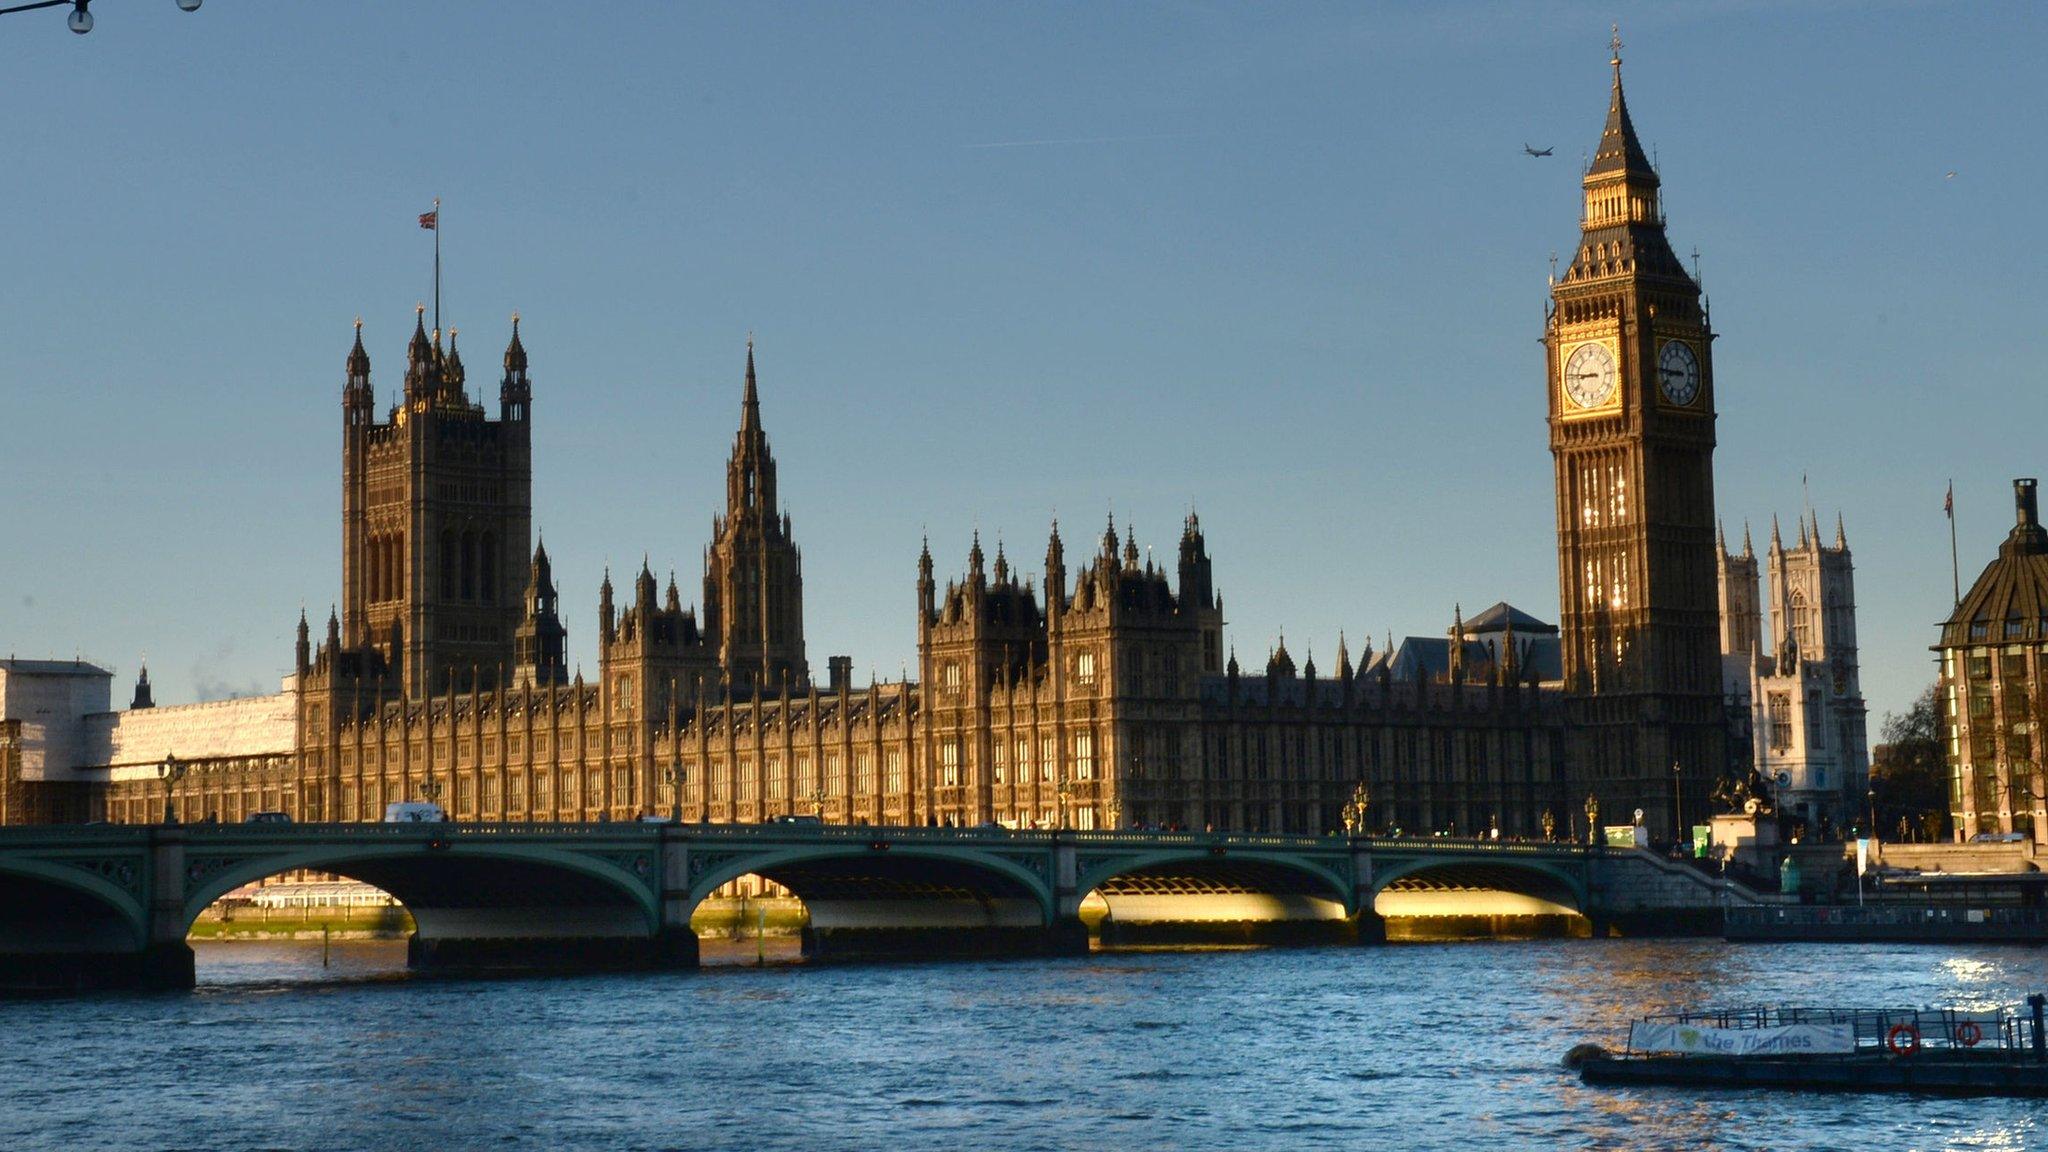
{"x": 476, "y": 903}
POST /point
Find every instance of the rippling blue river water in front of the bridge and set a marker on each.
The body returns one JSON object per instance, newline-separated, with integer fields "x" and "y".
{"x": 1404, "y": 1046}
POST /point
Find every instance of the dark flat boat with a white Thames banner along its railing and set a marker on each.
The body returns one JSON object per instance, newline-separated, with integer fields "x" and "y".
{"x": 1955, "y": 1053}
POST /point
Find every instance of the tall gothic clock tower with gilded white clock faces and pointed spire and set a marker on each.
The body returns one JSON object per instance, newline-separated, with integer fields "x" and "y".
{"x": 1631, "y": 378}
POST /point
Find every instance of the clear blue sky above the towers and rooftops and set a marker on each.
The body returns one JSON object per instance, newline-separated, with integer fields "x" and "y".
{"x": 1285, "y": 263}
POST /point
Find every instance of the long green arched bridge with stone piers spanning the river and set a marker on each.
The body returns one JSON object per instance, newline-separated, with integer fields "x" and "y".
{"x": 112, "y": 905}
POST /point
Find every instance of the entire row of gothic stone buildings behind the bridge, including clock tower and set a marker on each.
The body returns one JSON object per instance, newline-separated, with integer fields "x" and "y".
{"x": 1099, "y": 694}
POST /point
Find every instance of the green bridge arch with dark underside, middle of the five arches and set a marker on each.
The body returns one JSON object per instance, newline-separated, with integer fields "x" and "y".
{"x": 898, "y": 899}
